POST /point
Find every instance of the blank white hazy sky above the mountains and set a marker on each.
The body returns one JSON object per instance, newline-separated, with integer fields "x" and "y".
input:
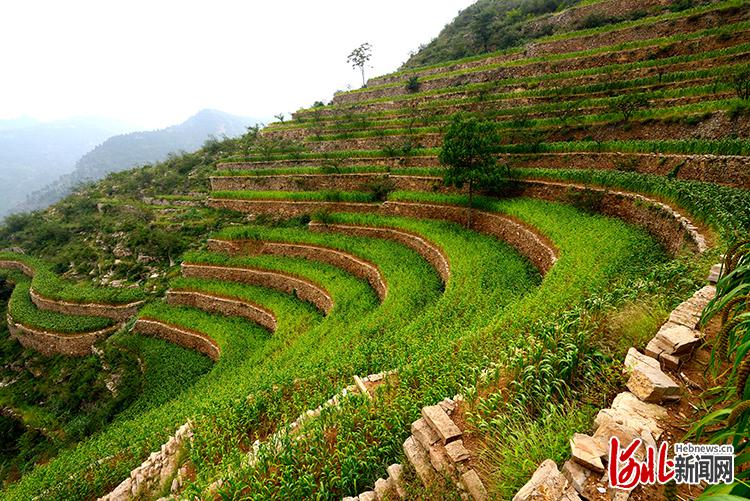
{"x": 155, "y": 62}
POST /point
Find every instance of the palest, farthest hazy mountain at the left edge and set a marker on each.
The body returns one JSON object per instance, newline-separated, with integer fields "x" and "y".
{"x": 32, "y": 153}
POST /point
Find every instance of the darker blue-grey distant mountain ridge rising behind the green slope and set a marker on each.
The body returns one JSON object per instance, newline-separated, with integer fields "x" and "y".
{"x": 126, "y": 151}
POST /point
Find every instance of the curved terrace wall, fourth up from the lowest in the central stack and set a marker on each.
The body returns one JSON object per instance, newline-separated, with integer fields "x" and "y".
{"x": 351, "y": 264}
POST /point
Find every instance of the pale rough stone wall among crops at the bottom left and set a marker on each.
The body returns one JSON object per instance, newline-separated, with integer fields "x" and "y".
{"x": 156, "y": 474}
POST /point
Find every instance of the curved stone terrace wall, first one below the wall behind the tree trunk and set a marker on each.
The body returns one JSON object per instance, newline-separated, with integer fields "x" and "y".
{"x": 429, "y": 251}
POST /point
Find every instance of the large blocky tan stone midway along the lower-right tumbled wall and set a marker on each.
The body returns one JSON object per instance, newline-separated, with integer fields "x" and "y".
{"x": 647, "y": 381}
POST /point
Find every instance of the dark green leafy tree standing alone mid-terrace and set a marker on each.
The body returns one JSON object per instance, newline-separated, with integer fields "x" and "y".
{"x": 469, "y": 153}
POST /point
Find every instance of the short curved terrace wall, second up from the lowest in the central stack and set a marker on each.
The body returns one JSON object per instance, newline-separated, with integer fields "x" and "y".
{"x": 223, "y": 305}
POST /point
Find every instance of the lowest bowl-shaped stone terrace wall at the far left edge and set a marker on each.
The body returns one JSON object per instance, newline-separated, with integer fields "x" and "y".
{"x": 54, "y": 343}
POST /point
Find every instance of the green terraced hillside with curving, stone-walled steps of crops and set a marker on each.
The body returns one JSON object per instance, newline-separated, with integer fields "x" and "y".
{"x": 355, "y": 258}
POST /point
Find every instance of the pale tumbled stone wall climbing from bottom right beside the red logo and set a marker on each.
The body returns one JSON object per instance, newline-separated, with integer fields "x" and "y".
{"x": 637, "y": 413}
